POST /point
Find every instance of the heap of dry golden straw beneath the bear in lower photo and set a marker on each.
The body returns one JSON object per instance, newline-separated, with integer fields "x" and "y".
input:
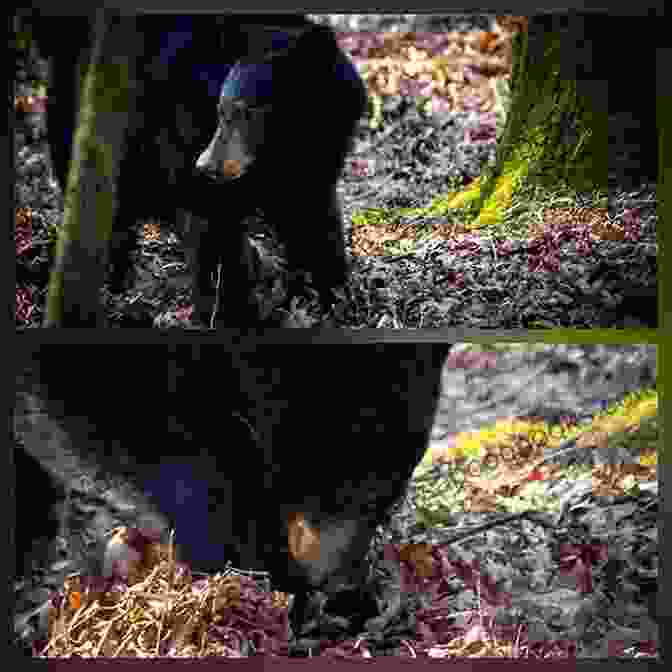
{"x": 159, "y": 610}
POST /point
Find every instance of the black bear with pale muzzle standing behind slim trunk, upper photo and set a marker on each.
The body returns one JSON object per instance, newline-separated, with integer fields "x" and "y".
{"x": 278, "y": 68}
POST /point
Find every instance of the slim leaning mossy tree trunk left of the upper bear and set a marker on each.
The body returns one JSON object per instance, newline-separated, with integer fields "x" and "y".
{"x": 82, "y": 249}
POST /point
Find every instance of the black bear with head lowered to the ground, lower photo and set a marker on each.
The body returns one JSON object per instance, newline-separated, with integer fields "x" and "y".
{"x": 282, "y": 458}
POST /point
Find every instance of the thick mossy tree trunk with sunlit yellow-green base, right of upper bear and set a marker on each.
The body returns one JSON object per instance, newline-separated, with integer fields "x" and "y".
{"x": 581, "y": 113}
